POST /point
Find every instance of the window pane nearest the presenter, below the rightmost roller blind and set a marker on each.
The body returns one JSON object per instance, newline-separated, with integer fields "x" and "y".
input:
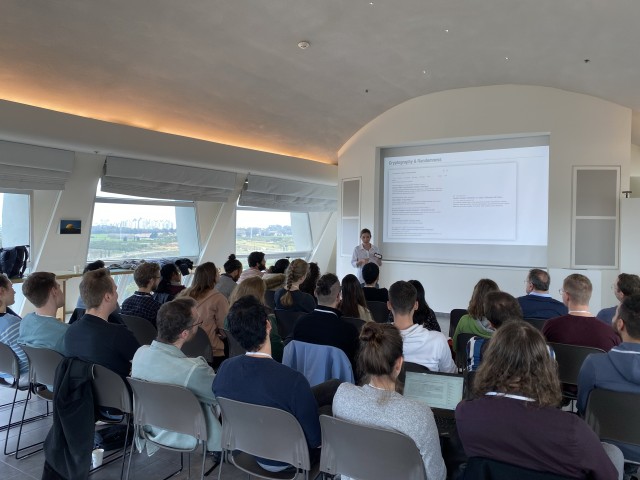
{"x": 277, "y": 234}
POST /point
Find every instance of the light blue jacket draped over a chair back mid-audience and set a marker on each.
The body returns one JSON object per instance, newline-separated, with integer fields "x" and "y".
{"x": 318, "y": 363}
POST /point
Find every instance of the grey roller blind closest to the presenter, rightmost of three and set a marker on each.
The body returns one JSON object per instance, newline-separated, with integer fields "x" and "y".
{"x": 288, "y": 195}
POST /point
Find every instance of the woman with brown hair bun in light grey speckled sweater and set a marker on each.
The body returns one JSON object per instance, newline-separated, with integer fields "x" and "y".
{"x": 378, "y": 403}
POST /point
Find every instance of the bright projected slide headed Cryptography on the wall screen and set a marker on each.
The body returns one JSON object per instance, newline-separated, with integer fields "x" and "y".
{"x": 457, "y": 201}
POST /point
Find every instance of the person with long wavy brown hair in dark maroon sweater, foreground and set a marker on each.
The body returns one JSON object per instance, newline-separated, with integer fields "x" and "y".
{"x": 514, "y": 417}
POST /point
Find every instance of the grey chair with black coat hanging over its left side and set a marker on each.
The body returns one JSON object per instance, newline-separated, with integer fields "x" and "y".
{"x": 110, "y": 390}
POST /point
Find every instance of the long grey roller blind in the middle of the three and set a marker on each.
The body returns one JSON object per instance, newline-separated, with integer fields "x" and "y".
{"x": 143, "y": 178}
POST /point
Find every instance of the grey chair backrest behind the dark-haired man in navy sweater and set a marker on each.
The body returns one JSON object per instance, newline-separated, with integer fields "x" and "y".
{"x": 250, "y": 429}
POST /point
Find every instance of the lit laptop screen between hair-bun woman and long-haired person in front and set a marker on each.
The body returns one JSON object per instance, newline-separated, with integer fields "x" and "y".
{"x": 438, "y": 390}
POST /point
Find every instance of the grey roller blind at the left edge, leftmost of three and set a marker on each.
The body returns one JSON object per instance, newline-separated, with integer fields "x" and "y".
{"x": 29, "y": 167}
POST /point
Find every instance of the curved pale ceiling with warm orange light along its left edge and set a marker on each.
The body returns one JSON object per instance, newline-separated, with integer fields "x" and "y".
{"x": 232, "y": 72}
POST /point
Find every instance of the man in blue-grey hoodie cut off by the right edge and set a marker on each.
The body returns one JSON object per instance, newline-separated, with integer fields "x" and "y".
{"x": 618, "y": 370}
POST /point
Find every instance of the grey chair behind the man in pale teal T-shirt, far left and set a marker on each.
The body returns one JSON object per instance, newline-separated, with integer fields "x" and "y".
{"x": 42, "y": 373}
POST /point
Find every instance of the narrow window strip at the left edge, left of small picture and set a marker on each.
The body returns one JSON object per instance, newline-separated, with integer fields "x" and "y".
{"x": 14, "y": 219}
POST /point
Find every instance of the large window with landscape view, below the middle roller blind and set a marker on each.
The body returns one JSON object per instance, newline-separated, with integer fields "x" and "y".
{"x": 126, "y": 227}
